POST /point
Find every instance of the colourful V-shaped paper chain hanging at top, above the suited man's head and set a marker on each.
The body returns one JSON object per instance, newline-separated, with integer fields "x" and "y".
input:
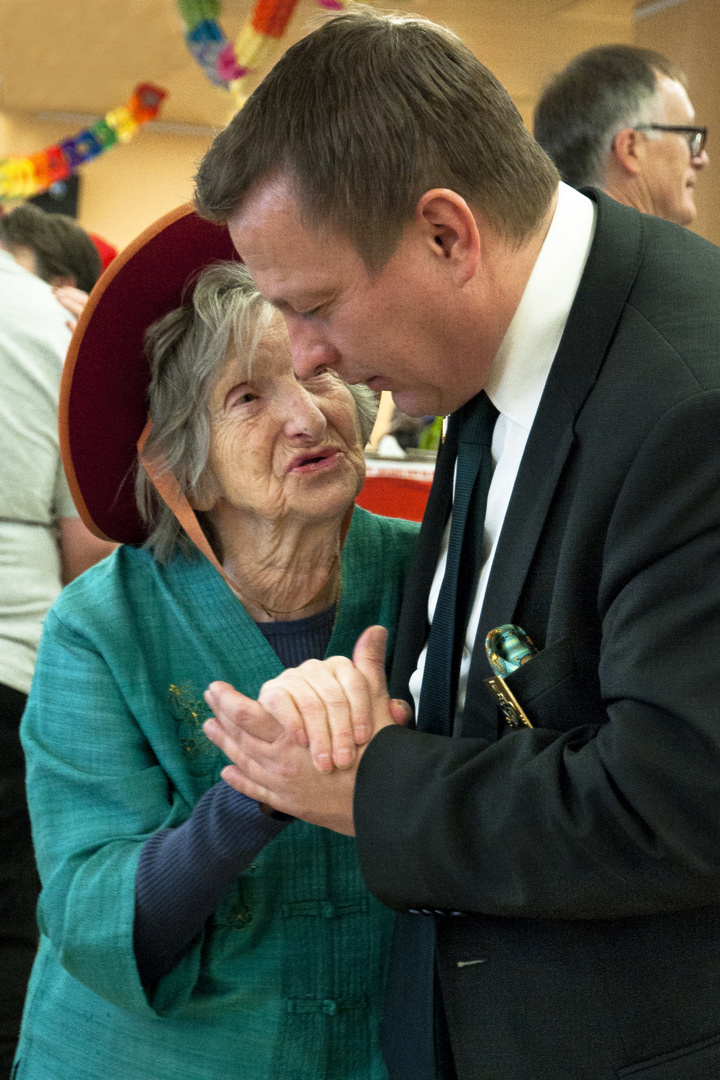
{"x": 225, "y": 64}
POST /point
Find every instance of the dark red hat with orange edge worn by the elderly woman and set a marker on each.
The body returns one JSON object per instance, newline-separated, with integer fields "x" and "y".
{"x": 103, "y": 407}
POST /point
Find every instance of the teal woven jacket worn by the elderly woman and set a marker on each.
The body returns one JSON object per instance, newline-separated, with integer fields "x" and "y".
{"x": 286, "y": 982}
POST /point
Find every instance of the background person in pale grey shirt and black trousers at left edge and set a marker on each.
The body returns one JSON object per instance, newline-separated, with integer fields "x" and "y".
{"x": 44, "y": 545}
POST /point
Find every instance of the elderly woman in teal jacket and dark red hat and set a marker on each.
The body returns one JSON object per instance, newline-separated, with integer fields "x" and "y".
{"x": 189, "y": 934}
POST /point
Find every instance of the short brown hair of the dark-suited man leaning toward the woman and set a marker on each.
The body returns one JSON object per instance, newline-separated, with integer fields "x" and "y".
{"x": 365, "y": 115}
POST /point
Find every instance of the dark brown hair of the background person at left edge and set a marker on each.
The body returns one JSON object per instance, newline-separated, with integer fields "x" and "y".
{"x": 62, "y": 248}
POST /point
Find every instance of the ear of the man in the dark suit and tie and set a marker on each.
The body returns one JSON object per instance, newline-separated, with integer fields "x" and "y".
{"x": 451, "y": 229}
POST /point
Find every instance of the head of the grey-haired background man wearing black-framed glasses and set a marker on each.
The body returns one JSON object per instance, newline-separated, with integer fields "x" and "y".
{"x": 619, "y": 118}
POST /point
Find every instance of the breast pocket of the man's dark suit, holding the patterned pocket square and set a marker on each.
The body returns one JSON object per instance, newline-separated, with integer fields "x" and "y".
{"x": 560, "y": 687}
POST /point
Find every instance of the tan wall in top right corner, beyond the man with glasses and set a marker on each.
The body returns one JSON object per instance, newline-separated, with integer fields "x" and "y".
{"x": 689, "y": 34}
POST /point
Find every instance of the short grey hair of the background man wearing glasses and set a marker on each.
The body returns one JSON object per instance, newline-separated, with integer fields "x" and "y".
{"x": 597, "y": 96}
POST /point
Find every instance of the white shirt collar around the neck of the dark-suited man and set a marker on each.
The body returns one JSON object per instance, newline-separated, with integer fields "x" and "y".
{"x": 523, "y": 362}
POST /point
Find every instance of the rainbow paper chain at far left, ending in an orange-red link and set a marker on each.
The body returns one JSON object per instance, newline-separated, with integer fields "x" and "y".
{"x": 22, "y": 178}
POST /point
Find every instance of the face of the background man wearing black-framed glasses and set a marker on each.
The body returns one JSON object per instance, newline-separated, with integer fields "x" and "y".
{"x": 670, "y": 173}
